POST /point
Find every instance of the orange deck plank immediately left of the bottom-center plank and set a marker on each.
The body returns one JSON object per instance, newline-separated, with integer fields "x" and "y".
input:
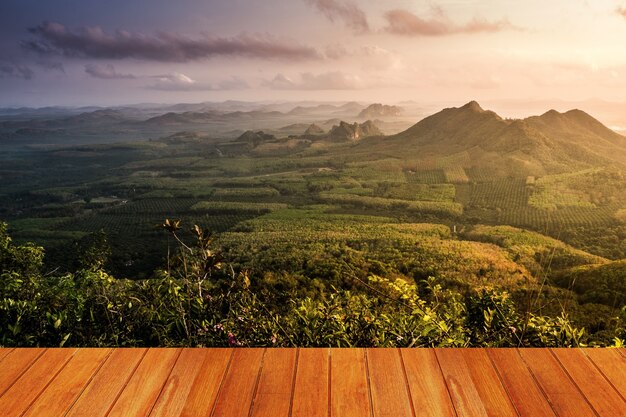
{"x": 273, "y": 395}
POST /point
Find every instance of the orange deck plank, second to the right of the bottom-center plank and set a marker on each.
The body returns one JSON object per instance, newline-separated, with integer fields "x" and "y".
{"x": 388, "y": 385}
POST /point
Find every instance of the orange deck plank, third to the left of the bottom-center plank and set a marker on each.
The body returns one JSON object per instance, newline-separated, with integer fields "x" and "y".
{"x": 206, "y": 385}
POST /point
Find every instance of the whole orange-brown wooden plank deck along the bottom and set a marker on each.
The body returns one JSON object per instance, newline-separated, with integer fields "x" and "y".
{"x": 312, "y": 382}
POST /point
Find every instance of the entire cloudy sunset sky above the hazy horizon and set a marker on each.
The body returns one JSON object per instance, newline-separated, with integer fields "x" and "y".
{"x": 116, "y": 52}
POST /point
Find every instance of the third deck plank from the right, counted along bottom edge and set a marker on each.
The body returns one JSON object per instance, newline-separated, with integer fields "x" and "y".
{"x": 520, "y": 384}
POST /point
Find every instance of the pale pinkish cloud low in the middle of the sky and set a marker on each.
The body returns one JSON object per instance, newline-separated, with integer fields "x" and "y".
{"x": 326, "y": 81}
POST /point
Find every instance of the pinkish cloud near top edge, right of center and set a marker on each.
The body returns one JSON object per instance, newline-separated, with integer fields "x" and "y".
{"x": 403, "y": 22}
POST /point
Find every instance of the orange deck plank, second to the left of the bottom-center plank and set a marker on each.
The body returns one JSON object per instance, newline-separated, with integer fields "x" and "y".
{"x": 235, "y": 397}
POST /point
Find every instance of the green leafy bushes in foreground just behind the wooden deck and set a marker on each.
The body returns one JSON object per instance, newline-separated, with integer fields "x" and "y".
{"x": 200, "y": 301}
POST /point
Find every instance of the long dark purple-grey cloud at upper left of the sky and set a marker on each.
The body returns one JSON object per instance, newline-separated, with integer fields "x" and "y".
{"x": 93, "y": 42}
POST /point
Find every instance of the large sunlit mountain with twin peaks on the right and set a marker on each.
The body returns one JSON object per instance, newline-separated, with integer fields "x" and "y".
{"x": 551, "y": 143}
